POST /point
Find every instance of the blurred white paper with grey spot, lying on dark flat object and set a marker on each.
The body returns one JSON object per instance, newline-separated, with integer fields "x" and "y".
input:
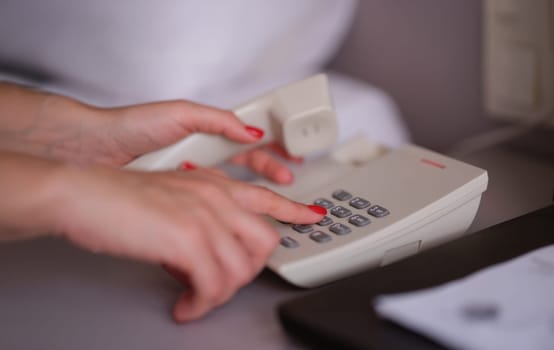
{"x": 506, "y": 306}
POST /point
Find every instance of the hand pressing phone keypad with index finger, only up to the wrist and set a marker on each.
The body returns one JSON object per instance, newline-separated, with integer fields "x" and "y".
{"x": 202, "y": 224}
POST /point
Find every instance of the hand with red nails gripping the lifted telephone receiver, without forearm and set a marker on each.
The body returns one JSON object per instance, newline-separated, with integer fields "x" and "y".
{"x": 136, "y": 130}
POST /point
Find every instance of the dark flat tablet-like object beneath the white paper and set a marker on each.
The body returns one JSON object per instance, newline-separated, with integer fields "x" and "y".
{"x": 341, "y": 316}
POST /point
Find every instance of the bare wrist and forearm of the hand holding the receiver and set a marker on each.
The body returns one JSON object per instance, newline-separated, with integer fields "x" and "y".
{"x": 47, "y": 125}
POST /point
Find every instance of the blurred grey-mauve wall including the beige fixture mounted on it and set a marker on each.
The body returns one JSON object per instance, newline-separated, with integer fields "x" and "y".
{"x": 435, "y": 57}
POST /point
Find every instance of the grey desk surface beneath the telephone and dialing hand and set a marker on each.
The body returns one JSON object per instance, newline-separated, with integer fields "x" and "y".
{"x": 55, "y": 296}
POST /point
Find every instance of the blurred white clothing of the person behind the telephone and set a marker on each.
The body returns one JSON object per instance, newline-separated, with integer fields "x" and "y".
{"x": 109, "y": 53}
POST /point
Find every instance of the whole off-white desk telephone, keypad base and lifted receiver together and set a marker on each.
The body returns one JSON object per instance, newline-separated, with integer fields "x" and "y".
{"x": 384, "y": 204}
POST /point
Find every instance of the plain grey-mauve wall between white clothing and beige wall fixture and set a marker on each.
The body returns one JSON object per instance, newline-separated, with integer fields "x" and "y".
{"x": 427, "y": 55}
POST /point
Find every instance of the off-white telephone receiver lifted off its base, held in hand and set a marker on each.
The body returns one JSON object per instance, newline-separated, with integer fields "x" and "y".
{"x": 300, "y": 117}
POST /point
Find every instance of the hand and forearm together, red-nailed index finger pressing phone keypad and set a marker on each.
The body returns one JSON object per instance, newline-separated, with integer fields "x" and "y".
{"x": 198, "y": 222}
